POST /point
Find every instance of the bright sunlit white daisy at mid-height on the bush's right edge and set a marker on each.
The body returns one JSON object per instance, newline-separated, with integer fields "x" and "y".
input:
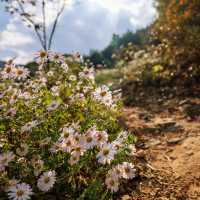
{"x": 103, "y": 95}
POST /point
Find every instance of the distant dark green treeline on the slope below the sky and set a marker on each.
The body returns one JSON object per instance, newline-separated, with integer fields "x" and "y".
{"x": 104, "y": 57}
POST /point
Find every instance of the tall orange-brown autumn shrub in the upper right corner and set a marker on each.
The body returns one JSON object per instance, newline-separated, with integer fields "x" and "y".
{"x": 178, "y": 27}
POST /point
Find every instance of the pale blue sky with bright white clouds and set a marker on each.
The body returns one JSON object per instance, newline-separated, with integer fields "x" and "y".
{"x": 82, "y": 27}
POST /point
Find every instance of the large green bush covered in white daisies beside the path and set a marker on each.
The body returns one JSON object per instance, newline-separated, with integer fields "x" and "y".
{"x": 59, "y": 132}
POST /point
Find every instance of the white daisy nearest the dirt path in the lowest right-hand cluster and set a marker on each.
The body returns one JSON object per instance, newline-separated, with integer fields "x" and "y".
{"x": 128, "y": 170}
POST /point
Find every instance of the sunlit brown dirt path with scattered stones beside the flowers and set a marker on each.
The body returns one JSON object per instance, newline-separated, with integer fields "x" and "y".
{"x": 168, "y": 151}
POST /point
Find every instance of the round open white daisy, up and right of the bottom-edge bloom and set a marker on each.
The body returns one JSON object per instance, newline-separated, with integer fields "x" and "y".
{"x": 46, "y": 181}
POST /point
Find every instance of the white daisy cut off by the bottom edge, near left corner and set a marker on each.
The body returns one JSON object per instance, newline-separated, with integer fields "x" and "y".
{"x": 20, "y": 191}
